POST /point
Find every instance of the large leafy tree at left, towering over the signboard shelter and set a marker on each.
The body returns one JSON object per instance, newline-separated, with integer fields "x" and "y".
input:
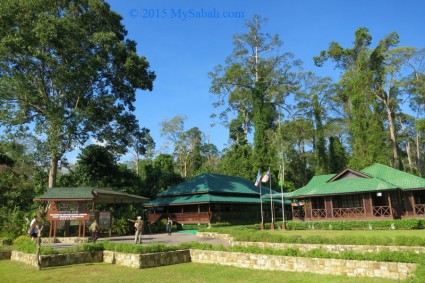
{"x": 67, "y": 68}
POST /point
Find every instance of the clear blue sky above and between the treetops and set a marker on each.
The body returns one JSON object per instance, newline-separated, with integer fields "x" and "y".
{"x": 183, "y": 50}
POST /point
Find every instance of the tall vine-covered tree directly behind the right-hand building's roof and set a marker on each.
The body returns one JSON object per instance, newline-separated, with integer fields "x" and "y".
{"x": 365, "y": 116}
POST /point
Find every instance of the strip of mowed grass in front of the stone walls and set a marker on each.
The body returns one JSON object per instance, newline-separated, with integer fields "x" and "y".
{"x": 11, "y": 271}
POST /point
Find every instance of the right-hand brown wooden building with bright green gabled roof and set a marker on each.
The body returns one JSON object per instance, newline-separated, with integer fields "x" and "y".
{"x": 376, "y": 192}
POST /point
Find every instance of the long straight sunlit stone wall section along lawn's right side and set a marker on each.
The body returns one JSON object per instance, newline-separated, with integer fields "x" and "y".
{"x": 398, "y": 271}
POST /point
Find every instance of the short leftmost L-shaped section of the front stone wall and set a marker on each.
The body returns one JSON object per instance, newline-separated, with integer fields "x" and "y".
{"x": 59, "y": 259}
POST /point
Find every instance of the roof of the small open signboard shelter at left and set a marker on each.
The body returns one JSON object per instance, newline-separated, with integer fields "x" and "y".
{"x": 88, "y": 193}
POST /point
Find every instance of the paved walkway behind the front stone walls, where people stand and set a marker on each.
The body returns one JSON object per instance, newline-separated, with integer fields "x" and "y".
{"x": 162, "y": 238}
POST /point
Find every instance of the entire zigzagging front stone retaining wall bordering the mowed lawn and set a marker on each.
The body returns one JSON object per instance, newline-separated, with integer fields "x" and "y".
{"x": 399, "y": 271}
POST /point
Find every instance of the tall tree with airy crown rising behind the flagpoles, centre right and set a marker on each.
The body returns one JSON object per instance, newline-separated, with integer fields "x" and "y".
{"x": 256, "y": 79}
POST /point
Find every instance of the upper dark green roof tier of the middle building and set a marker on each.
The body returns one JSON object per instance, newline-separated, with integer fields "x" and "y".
{"x": 213, "y": 183}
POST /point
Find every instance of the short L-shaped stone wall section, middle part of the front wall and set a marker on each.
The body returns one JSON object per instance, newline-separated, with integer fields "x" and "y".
{"x": 147, "y": 260}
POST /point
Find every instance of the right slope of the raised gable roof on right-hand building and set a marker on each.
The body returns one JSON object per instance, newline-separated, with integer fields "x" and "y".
{"x": 399, "y": 178}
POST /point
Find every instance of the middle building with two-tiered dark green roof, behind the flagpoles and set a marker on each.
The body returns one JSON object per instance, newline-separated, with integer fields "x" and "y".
{"x": 211, "y": 198}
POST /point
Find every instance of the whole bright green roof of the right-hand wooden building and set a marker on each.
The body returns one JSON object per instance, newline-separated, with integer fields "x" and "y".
{"x": 381, "y": 178}
